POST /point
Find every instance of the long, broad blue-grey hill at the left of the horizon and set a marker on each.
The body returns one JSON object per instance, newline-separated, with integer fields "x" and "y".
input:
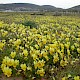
{"x": 19, "y": 7}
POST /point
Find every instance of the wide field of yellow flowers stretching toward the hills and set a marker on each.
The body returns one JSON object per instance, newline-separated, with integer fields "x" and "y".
{"x": 48, "y": 50}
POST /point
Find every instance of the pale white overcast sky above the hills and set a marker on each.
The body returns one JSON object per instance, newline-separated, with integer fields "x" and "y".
{"x": 56, "y": 3}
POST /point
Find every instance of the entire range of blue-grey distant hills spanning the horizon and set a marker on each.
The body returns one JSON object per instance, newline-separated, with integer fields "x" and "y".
{"x": 33, "y": 7}
